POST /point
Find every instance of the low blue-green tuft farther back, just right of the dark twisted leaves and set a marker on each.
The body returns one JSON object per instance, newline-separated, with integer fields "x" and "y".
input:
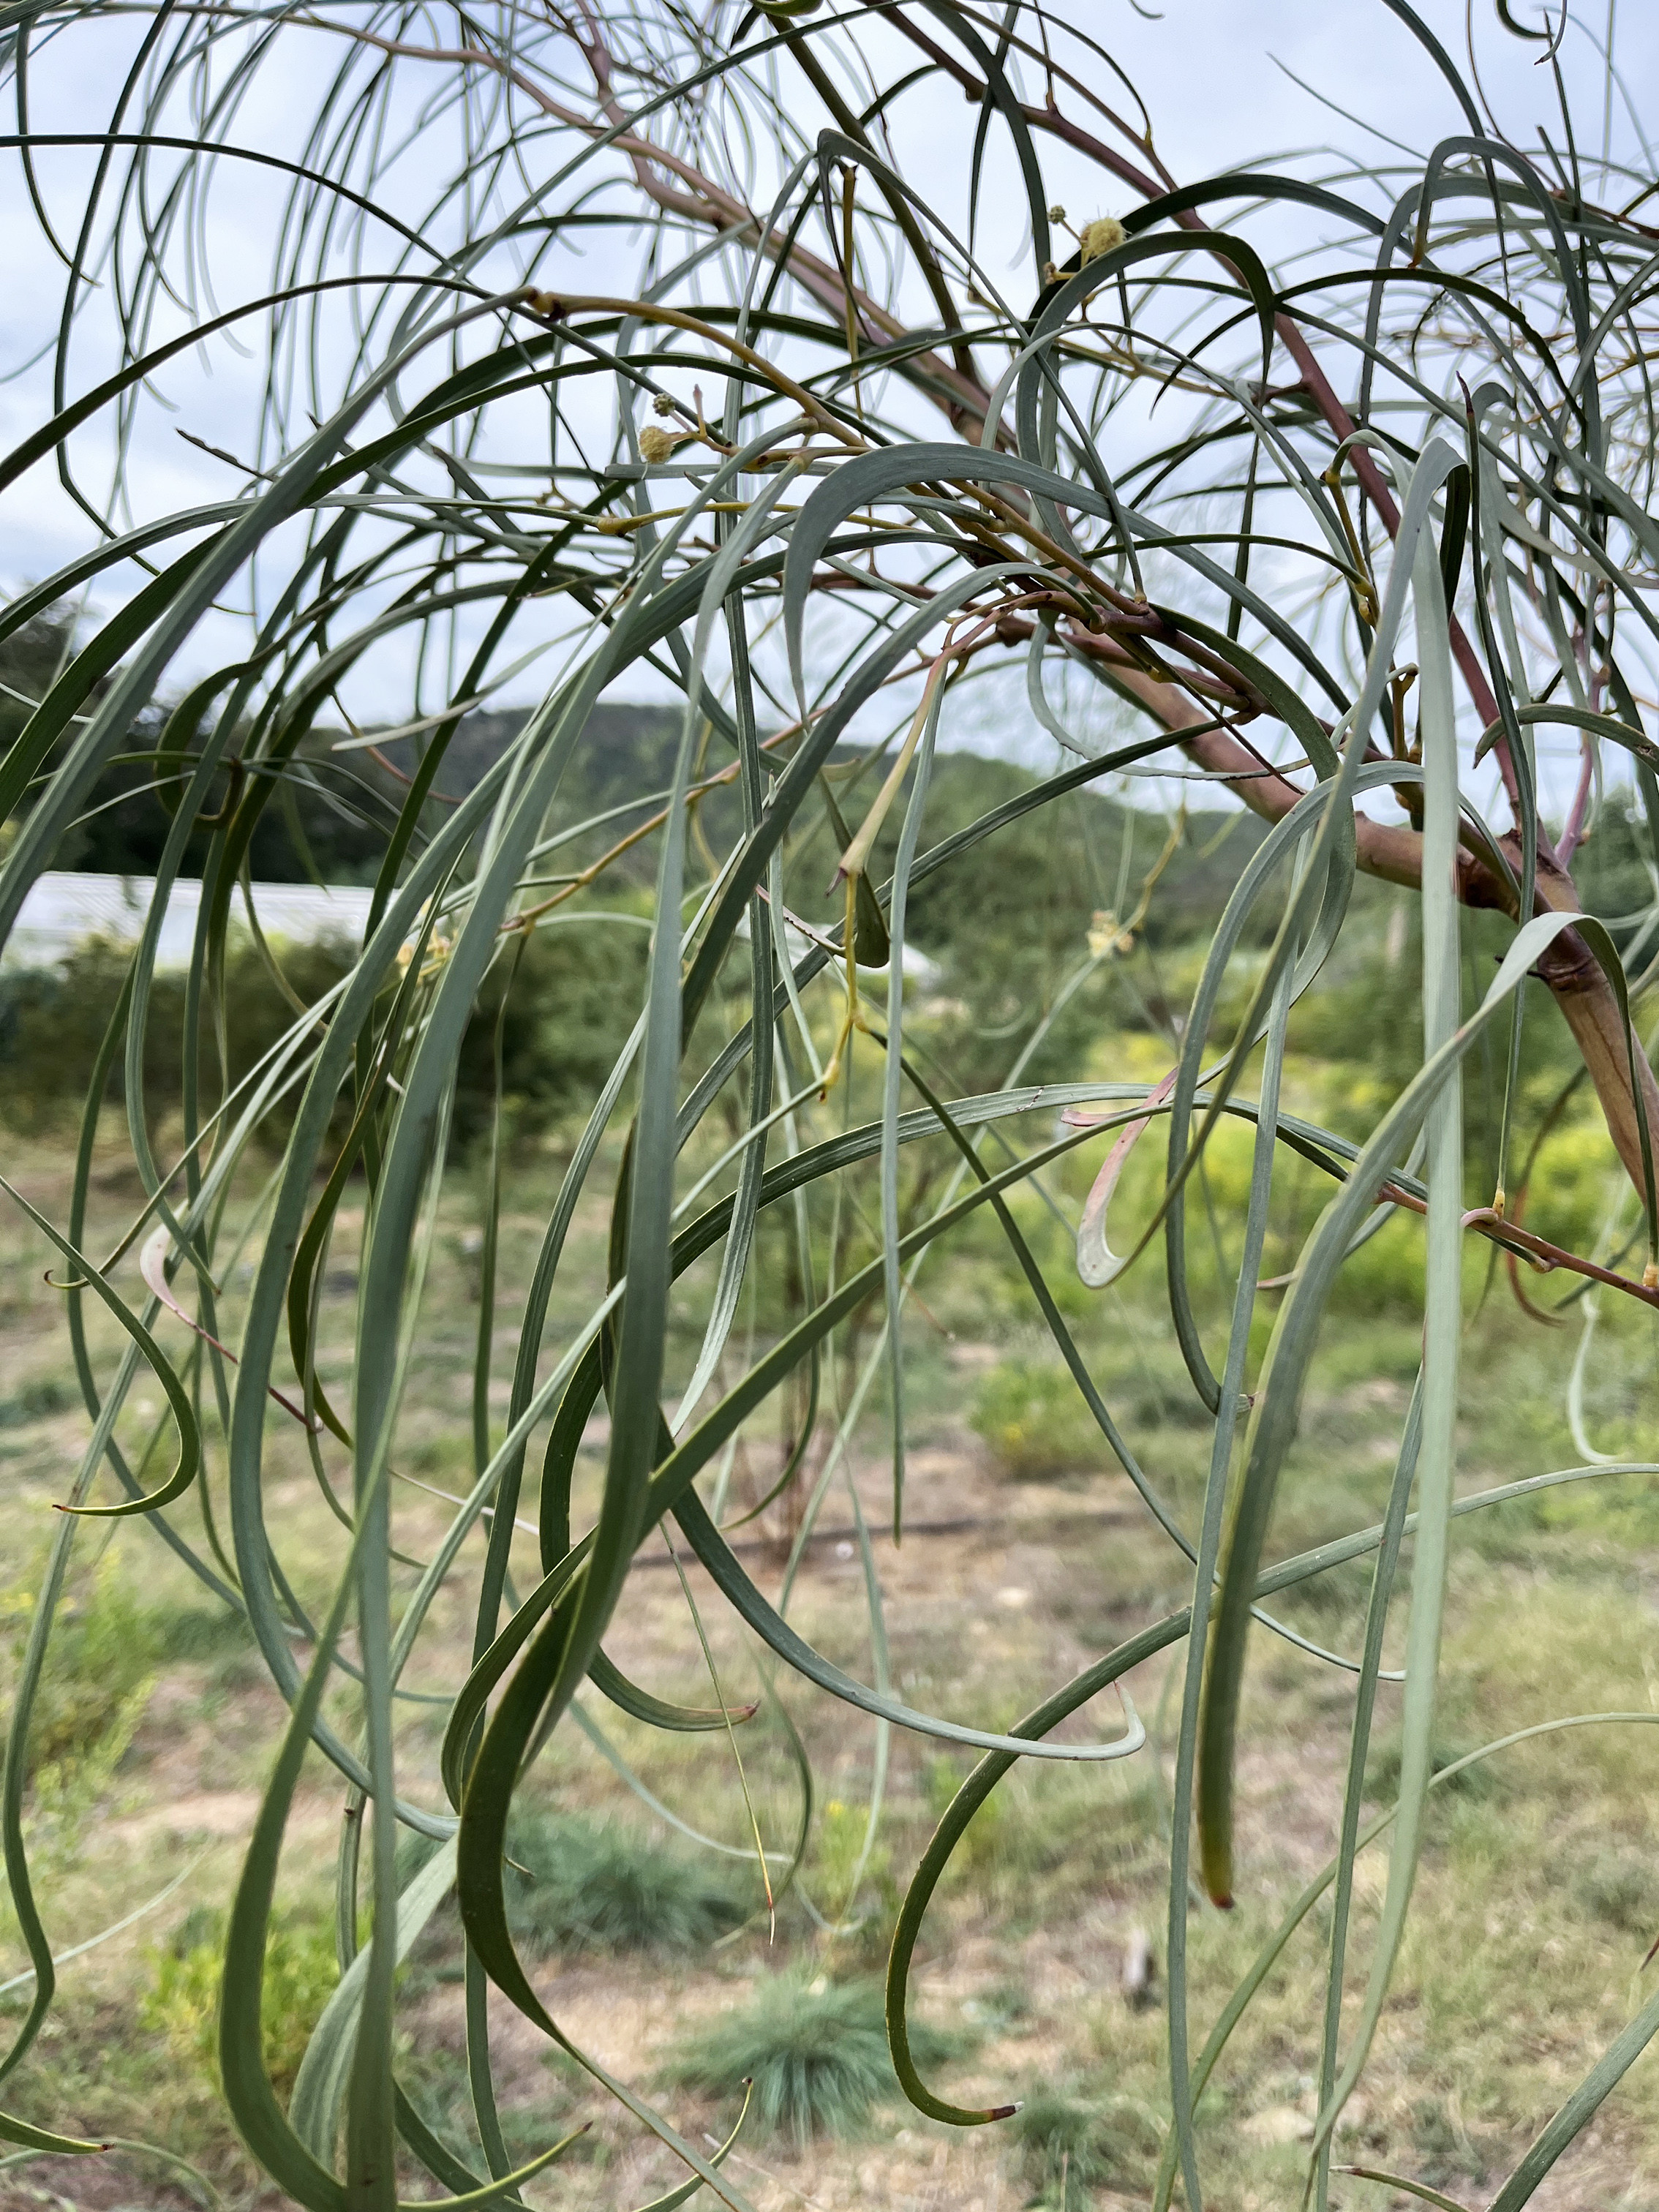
{"x": 603, "y": 1888}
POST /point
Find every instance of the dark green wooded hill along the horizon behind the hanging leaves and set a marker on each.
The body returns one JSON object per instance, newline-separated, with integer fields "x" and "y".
{"x": 1001, "y": 915}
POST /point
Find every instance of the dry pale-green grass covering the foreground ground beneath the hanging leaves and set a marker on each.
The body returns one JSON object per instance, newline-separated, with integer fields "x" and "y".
{"x": 1061, "y": 1864}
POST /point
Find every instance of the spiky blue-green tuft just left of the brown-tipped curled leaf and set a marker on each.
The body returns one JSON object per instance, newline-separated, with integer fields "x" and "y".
{"x": 817, "y": 2056}
